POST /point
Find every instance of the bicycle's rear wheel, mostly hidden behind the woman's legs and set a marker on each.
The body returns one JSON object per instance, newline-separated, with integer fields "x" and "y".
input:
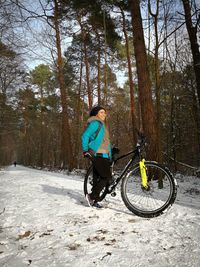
{"x": 87, "y": 185}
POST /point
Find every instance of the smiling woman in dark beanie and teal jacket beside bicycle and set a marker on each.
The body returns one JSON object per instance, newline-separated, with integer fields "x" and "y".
{"x": 96, "y": 147}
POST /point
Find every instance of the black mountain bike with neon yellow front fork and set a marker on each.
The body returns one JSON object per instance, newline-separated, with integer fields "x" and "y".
{"x": 148, "y": 188}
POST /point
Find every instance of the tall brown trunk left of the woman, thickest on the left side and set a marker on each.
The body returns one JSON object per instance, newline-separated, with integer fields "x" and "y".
{"x": 66, "y": 150}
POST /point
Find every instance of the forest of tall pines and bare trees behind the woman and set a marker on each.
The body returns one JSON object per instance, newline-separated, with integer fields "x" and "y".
{"x": 139, "y": 59}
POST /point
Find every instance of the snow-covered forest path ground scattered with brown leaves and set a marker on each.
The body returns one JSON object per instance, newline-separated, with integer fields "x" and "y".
{"x": 45, "y": 222}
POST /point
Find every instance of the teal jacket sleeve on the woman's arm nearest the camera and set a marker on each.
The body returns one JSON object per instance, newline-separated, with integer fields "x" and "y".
{"x": 88, "y": 133}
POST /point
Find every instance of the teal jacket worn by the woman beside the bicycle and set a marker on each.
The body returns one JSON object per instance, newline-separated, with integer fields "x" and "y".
{"x": 91, "y": 140}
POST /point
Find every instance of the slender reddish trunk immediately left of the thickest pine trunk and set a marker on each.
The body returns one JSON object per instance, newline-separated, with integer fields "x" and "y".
{"x": 131, "y": 84}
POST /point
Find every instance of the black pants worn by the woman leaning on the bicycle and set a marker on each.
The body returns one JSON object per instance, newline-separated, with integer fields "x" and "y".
{"x": 101, "y": 176}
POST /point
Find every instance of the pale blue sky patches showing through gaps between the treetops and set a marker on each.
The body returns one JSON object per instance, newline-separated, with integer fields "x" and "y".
{"x": 38, "y": 51}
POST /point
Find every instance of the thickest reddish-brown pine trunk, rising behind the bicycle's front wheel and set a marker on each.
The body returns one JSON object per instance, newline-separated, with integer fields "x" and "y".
{"x": 144, "y": 85}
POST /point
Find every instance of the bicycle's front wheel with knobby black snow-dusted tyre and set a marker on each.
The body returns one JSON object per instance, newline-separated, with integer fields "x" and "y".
{"x": 156, "y": 198}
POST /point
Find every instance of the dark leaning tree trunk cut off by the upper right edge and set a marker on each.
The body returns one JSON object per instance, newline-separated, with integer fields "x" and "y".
{"x": 192, "y": 32}
